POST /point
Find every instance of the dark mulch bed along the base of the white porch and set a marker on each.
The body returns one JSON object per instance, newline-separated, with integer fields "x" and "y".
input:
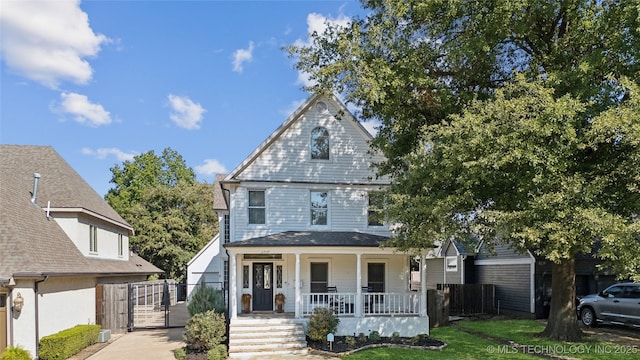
{"x": 340, "y": 345}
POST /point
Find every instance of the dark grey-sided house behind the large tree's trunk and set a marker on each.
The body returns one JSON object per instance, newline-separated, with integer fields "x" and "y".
{"x": 522, "y": 280}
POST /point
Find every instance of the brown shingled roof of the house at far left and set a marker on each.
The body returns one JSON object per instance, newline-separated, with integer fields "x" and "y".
{"x": 31, "y": 242}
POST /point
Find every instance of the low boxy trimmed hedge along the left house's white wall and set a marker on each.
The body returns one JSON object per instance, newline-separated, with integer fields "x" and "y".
{"x": 68, "y": 342}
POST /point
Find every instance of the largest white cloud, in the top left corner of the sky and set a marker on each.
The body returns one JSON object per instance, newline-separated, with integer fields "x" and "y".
{"x": 48, "y": 41}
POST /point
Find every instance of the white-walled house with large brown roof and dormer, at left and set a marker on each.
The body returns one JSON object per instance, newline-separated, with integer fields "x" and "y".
{"x": 58, "y": 240}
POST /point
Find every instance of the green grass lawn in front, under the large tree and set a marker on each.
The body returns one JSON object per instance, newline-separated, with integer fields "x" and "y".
{"x": 462, "y": 345}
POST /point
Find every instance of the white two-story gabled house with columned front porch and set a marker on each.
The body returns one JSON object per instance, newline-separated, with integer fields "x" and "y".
{"x": 299, "y": 217}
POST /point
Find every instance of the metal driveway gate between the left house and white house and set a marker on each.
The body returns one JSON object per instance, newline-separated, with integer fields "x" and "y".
{"x": 156, "y": 304}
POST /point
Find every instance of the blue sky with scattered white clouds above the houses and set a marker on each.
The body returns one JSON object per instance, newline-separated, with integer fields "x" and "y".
{"x": 103, "y": 81}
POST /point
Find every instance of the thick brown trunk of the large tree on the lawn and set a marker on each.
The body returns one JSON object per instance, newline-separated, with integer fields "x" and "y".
{"x": 562, "y": 324}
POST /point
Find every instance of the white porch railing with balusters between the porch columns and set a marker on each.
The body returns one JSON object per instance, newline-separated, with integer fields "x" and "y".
{"x": 373, "y": 304}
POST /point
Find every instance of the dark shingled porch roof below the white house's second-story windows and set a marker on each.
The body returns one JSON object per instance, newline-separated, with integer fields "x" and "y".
{"x": 312, "y": 238}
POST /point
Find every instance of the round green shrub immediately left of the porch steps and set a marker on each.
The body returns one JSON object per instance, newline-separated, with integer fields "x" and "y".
{"x": 204, "y": 331}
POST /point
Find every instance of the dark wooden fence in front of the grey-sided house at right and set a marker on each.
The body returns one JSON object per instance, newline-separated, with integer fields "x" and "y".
{"x": 470, "y": 299}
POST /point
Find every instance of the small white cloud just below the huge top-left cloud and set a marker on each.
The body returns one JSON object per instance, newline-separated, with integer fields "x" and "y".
{"x": 83, "y": 111}
